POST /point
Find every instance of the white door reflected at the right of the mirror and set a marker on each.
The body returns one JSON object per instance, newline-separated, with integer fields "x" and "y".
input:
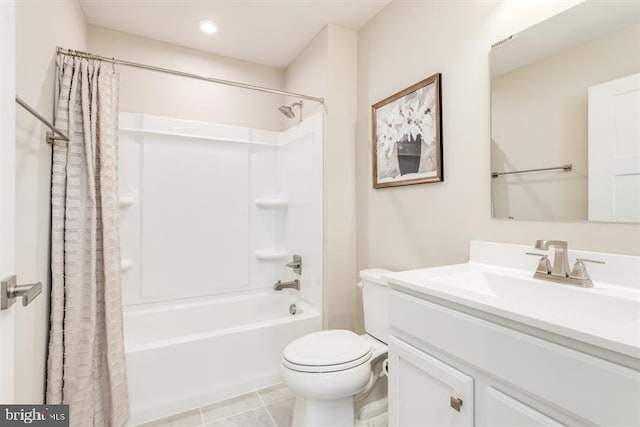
{"x": 614, "y": 150}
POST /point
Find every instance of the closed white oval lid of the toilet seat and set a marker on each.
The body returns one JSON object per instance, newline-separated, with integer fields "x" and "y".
{"x": 326, "y": 348}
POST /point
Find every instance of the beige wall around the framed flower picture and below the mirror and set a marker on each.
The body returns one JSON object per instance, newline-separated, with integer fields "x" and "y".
{"x": 431, "y": 224}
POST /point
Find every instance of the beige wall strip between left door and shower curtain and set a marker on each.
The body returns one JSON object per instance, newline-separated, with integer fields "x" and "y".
{"x": 40, "y": 27}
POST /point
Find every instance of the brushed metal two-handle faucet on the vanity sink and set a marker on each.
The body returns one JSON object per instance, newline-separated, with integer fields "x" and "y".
{"x": 559, "y": 271}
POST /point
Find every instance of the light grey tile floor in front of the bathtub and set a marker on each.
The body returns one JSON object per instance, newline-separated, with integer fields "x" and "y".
{"x": 269, "y": 407}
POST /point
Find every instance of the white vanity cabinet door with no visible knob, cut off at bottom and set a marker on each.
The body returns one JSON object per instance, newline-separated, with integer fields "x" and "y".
{"x": 505, "y": 411}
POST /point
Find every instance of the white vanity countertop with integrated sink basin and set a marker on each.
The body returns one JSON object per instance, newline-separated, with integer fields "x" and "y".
{"x": 605, "y": 315}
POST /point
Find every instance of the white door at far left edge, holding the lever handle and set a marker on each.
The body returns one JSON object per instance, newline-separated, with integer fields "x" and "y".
{"x": 7, "y": 189}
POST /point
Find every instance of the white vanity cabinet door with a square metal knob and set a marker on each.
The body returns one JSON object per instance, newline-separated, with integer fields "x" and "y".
{"x": 423, "y": 391}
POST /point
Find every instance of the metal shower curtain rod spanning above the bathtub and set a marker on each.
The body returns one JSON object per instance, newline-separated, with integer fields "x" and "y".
{"x": 70, "y": 52}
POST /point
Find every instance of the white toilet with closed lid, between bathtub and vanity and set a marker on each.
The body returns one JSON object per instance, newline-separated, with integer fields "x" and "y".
{"x": 330, "y": 370}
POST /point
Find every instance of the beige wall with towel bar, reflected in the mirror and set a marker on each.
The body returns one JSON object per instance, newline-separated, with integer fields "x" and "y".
{"x": 527, "y": 134}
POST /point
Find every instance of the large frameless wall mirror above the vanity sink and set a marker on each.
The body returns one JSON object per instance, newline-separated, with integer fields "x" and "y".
{"x": 565, "y": 117}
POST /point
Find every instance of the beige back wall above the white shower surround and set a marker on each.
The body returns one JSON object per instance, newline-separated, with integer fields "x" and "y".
{"x": 148, "y": 92}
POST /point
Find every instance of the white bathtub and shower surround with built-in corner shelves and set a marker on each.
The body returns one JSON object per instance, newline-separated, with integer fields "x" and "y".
{"x": 210, "y": 215}
